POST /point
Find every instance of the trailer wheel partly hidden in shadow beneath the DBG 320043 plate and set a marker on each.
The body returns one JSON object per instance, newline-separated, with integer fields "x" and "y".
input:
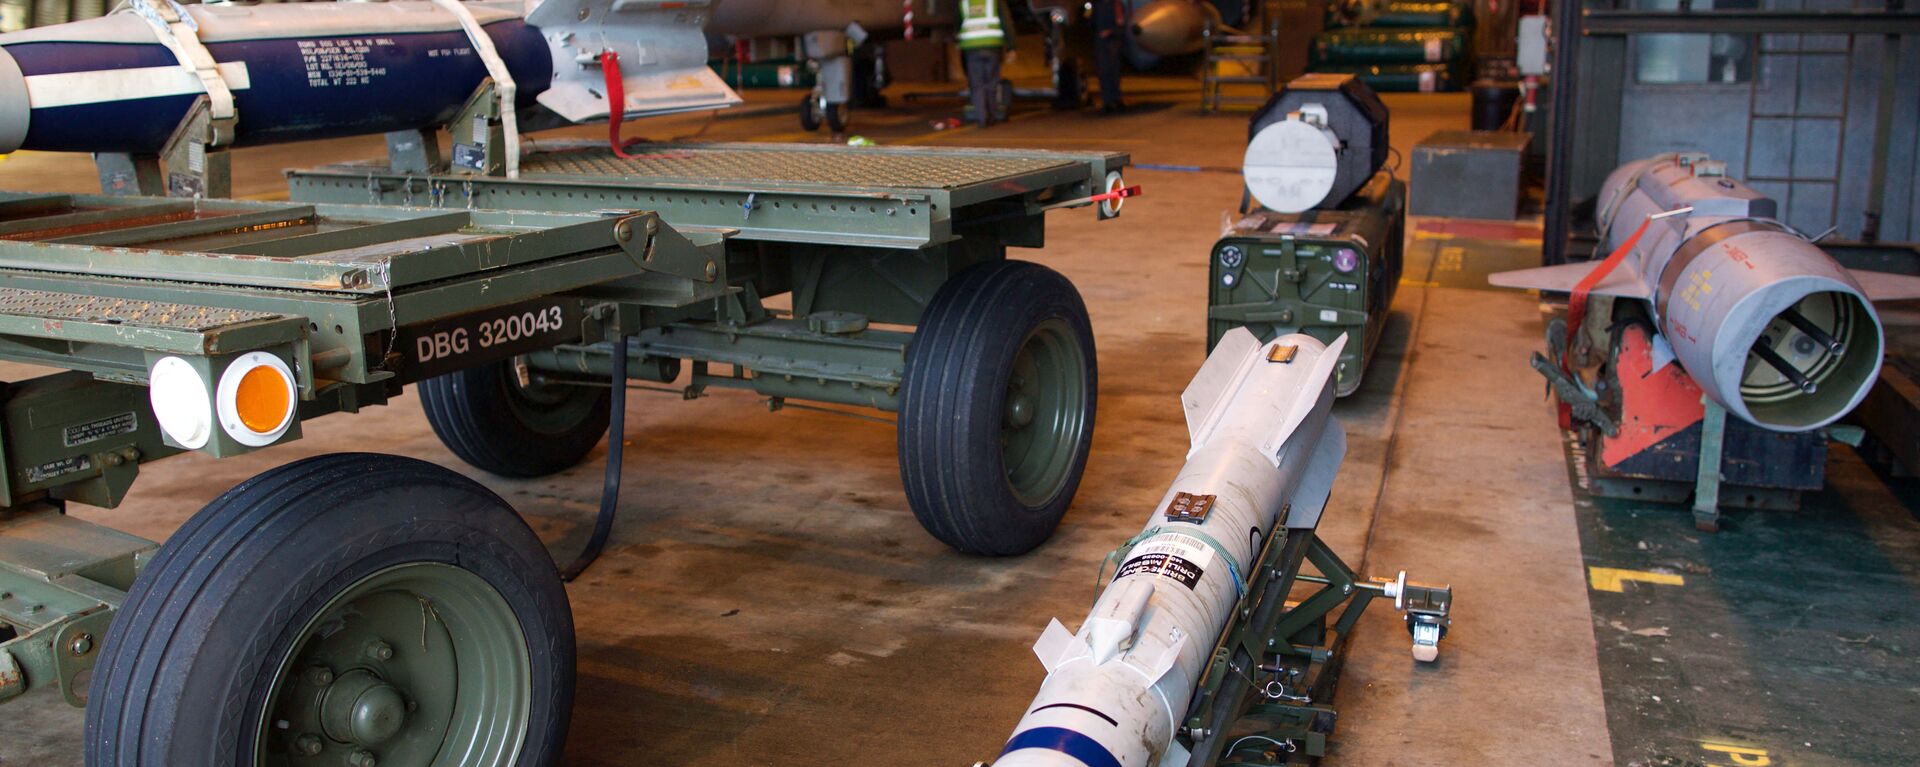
{"x": 485, "y": 418}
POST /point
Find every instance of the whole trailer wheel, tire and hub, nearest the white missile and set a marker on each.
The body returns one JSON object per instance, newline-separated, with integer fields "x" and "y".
{"x": 997, "y": 408}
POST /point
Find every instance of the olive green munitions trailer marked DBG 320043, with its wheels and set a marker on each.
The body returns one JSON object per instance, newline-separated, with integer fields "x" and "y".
{"x": 362, "y": 608}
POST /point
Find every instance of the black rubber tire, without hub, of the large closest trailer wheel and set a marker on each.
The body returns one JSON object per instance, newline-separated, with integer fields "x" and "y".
{"x": 185, "y": 670}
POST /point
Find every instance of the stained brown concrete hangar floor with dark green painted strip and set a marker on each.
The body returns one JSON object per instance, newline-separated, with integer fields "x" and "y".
{"x": 771, "y": 601}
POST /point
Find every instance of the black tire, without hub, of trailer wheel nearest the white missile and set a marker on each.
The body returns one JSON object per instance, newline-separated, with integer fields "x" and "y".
{"x": 953, "y": 399}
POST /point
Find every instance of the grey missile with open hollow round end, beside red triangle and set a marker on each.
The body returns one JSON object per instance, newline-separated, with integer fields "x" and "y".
{"x": 1756, "y": 312}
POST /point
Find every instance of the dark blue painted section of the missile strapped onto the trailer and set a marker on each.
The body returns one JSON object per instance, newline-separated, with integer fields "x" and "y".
{"x": 406, "y": 82}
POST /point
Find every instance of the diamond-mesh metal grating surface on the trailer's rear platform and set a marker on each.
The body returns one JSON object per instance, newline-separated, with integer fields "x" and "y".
{"x": 796, "y": 166}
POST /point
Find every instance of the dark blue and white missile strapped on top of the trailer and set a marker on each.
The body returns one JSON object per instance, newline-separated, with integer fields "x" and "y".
{"x": 124, "y": 84}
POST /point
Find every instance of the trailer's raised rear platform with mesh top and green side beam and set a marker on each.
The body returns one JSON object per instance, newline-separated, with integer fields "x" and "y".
{"x": 775, "y": 193}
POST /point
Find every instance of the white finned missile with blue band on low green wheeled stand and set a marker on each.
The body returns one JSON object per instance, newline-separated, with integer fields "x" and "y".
{"x": 1262, "y": 443}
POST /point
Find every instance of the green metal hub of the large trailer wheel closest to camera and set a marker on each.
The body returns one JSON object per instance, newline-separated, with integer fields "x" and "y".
{"x": 420, "y": 664}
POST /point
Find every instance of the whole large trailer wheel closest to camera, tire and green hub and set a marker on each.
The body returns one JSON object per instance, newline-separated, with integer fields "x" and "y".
{"x": 343, "y": 610}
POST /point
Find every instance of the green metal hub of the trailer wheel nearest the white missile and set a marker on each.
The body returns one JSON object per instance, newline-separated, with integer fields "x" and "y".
{"x": 1045, "y": 412}
